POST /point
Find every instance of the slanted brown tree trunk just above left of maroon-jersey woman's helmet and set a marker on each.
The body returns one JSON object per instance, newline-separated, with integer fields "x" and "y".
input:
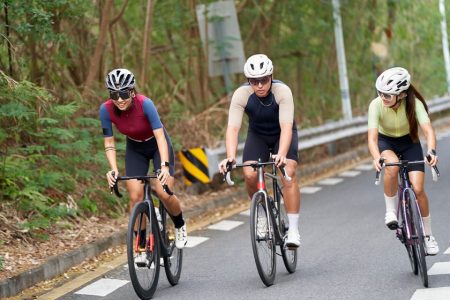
{"x": 94, "y": 64}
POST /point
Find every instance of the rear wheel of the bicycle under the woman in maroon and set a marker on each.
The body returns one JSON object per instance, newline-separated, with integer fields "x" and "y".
{"x": 174, "y": 261}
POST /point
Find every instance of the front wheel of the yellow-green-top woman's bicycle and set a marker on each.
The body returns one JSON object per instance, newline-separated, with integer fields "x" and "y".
{"x": 417, "y": 225}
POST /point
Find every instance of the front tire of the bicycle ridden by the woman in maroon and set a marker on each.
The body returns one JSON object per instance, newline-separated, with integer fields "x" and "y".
{"x": 143, "y": 278}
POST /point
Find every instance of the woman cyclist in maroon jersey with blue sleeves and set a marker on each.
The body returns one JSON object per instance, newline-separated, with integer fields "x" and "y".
{"x": 135, "y": 116}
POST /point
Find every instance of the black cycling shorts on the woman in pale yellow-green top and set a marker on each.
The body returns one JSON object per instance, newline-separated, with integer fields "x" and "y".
{"x": 403, "y": 146}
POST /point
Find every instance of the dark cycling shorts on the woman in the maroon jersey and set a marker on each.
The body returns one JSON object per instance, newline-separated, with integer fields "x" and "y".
{"x": 139, "y": 154}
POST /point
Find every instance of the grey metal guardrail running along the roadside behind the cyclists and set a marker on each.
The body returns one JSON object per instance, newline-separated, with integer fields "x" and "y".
{"x": 323, "y": 134}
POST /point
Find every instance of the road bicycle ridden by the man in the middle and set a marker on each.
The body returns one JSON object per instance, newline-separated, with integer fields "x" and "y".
{"x": 268, "y": 222}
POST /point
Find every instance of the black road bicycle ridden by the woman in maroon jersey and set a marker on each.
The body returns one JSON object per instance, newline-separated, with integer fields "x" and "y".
{"x": 151, "y": 236}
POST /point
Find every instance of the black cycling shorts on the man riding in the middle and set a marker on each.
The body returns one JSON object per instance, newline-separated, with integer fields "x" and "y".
{"x": 259, "y": 146}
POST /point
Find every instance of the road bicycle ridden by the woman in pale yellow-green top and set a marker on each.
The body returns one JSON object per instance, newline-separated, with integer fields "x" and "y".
{"x": 410, "y": 226}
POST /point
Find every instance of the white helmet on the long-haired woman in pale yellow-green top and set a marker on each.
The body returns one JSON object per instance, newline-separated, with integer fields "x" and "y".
{"x": 393, "y": 81}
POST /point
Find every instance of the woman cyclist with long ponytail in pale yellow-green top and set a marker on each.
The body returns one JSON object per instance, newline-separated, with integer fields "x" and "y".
{"x": 394, "y": 118}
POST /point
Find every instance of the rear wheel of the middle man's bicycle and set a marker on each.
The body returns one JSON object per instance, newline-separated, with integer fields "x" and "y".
{"x": 289, "y": 255}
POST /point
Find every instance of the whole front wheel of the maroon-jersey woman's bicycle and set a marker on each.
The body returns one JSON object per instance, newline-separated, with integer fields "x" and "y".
{"x": 143, "y": 252}
